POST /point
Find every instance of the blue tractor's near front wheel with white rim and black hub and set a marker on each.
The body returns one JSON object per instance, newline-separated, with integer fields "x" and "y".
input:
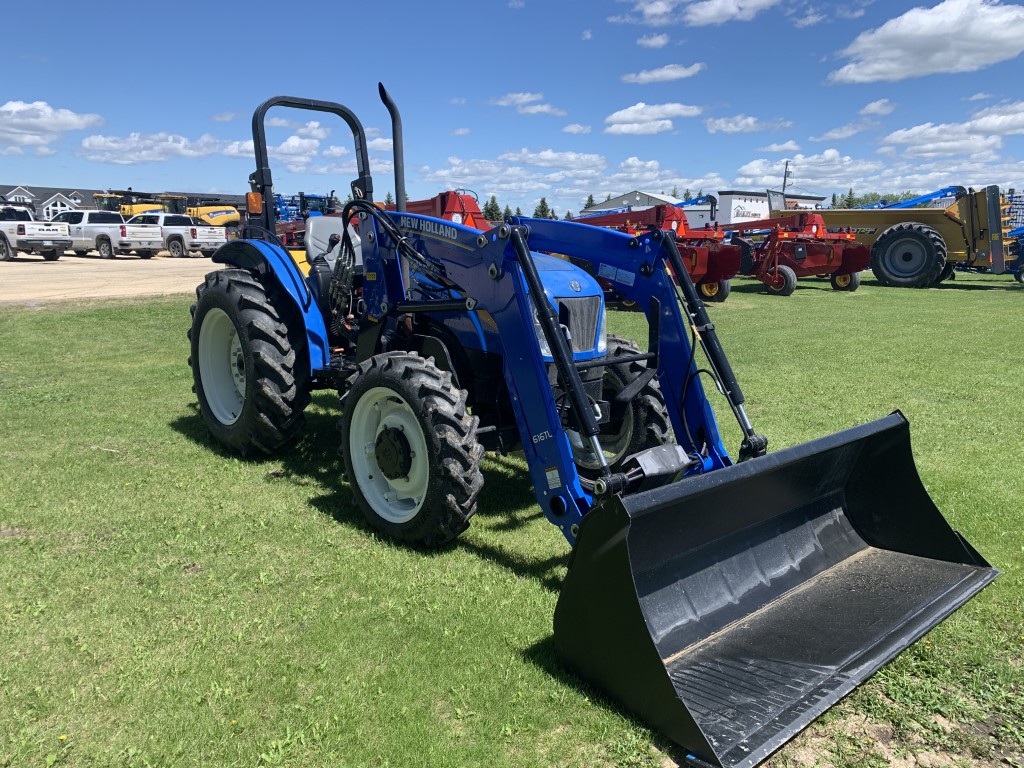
{"x": 410, "y": 449}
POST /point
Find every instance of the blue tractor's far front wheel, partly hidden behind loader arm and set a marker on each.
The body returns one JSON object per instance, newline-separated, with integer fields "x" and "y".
{"x": 645, "y": 423}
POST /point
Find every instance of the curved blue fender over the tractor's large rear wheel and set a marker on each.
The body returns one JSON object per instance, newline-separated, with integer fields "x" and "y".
{"x": 268, "y": 260}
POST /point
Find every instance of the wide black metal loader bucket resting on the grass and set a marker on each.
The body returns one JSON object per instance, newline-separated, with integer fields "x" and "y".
{"x": 729, "y": 611}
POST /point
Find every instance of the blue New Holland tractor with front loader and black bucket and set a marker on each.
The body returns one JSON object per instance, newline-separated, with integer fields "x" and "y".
{"x": 728, "y": 605}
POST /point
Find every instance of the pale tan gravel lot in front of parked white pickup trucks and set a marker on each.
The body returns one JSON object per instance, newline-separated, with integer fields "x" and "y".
{"x": 30, "y": 280}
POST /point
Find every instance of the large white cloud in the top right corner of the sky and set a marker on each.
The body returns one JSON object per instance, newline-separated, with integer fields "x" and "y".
{"x": 954, "y": 36}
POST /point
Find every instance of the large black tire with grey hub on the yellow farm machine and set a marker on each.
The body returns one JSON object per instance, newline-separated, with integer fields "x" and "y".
{"x": 909, "y": 255}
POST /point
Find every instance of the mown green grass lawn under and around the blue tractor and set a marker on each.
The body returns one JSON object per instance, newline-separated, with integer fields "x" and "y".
{"x": 166, "y": 605}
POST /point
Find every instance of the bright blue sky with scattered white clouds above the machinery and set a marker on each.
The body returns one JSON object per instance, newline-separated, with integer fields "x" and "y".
{"x": 522, "y": 99}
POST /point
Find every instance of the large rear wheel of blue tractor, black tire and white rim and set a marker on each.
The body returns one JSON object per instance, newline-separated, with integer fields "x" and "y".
{"x": 249, "y": 368}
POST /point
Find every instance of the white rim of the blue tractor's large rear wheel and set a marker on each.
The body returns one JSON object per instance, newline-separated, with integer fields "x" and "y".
{"x": 222, "y": 367}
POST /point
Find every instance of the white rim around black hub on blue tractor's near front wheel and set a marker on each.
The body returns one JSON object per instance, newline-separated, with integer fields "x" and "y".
{"x": 396, "y": 500}
